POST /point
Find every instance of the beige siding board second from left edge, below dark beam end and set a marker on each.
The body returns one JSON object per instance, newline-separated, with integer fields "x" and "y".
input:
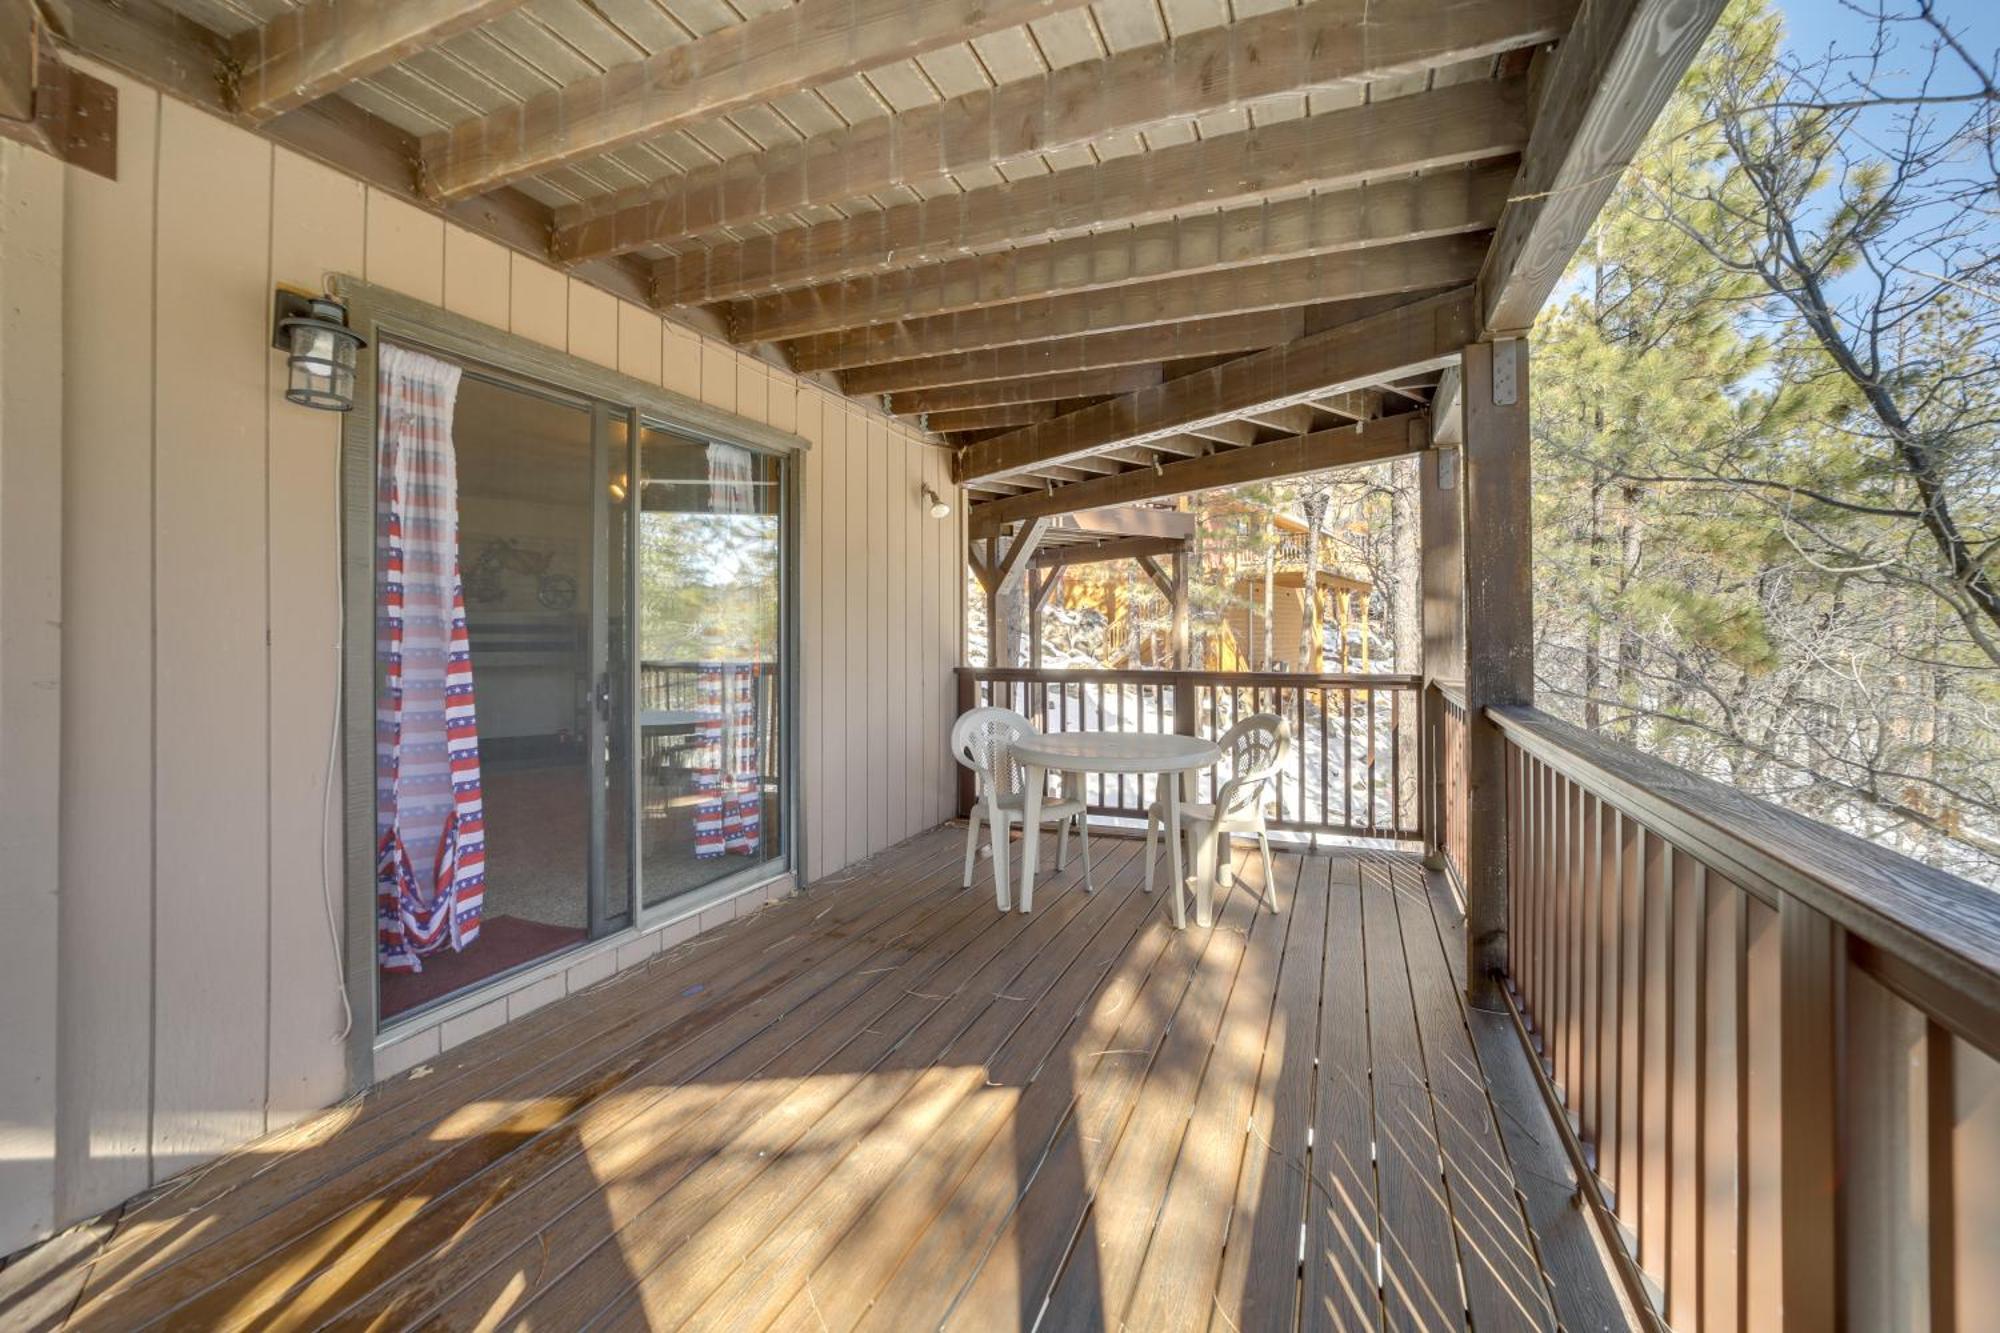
{"x": 105, "y": 958}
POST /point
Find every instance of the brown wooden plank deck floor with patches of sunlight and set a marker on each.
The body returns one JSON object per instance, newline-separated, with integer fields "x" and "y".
{"x": 887, "y": 1106}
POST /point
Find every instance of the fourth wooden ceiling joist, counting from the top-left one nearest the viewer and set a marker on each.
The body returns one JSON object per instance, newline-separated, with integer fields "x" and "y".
{"x": 1427, "y": 131}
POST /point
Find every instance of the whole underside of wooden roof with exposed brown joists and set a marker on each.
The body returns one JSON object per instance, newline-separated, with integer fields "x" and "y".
{"x": 1105, "y": 251}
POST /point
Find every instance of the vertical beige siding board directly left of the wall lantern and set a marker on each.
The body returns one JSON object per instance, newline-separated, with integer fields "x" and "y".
{"x": 211, "y": 680}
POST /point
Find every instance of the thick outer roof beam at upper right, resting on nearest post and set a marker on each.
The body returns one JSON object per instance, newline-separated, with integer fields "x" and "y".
{"x": 1609, "y": 81}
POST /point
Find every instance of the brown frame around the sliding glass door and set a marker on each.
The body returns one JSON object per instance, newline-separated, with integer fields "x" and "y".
{"x": 379, "y": 313}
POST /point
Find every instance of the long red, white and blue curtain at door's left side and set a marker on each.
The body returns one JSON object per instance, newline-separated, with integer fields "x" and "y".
{"x": 431, "y": 824}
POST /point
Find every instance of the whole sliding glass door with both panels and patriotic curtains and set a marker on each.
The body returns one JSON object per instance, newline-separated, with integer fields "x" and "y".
{"x": 579, "y": 674}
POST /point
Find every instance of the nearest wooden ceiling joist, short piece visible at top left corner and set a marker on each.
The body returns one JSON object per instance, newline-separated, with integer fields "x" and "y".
{"x": 325, "y": 45}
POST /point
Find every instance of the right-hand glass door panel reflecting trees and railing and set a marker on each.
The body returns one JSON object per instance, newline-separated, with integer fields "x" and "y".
{"x": 711, "y": 549}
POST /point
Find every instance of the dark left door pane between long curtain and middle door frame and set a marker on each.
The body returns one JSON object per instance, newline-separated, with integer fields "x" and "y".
{"x": 531, "y": 505}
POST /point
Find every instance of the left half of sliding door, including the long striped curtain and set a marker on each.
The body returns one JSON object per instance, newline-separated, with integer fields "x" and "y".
{"x": 513, "y": 497}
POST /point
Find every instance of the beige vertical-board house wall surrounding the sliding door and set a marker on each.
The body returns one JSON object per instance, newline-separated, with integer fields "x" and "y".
{"x": 189, "y": 992}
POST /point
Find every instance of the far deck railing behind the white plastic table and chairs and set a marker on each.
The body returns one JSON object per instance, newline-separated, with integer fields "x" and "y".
{"x": 1355, "y": 760}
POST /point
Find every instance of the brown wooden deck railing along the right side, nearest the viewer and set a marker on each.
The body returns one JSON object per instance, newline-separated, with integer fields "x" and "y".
{"x": 1773, "y": 1046}
